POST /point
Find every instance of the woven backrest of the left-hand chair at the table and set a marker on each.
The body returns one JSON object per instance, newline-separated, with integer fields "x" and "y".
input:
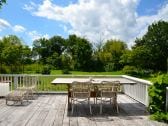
{"x": 80, "y": 89}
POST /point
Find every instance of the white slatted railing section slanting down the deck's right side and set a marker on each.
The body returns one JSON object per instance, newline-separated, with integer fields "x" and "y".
{"x": 138, "y": 91}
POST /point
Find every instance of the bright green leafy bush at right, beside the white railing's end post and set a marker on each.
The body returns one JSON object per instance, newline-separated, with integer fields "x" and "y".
{"x": 157, "y": 93}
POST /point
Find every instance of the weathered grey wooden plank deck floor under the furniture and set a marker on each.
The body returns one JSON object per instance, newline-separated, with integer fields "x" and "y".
{"x": 51, "y": 110}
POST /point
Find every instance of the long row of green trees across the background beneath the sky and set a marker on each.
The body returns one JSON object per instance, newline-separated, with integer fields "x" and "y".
{"x": 150, "y": 53}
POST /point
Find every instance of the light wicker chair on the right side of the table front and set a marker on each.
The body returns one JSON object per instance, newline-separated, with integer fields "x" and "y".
{"x": 108, "y": 93}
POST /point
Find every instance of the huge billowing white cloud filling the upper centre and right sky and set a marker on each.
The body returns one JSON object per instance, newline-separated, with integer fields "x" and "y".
{"x": 101, "y": 18}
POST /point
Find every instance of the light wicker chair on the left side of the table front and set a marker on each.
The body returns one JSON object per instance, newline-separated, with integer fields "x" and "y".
{"x": 80, "y": 91}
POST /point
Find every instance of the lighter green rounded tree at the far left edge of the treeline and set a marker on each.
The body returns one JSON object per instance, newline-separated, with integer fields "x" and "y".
{"x": 14, "y": 54}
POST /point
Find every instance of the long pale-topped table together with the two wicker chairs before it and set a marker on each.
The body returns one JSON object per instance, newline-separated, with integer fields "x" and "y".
{"x": 101, "y": 90}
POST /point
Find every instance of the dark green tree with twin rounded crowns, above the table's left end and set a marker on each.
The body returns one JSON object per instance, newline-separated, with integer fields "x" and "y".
{"x": 49, "y": 51}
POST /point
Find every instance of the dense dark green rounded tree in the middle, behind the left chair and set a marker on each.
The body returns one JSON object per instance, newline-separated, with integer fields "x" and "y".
{"x": 80, "y": 49}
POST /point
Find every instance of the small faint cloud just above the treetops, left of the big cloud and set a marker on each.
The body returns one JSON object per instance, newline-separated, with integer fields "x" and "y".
{"x": 35, "y": 35}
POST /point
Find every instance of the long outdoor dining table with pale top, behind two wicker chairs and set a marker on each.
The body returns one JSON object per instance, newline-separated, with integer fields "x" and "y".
{"x": 95, "y": 81}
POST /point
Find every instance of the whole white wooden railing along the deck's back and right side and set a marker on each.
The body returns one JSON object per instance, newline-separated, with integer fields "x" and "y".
{"x": 138, "y": 91}
